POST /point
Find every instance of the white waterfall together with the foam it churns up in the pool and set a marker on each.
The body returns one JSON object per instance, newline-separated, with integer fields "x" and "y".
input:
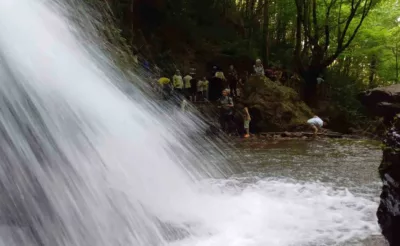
{"x": 84, "y": 163}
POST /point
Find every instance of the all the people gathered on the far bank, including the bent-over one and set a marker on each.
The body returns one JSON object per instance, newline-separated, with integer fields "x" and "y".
{"x": 194, "y": 88}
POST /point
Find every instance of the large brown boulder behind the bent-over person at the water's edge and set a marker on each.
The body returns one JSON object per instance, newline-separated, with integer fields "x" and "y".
{"x": 274, "y": 107}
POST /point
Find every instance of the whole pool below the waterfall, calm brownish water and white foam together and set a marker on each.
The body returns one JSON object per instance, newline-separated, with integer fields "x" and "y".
{"x": 292, "y": 193}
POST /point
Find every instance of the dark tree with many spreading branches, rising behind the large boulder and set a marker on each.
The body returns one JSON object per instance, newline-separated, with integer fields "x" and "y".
{"x": 316, "y": 44}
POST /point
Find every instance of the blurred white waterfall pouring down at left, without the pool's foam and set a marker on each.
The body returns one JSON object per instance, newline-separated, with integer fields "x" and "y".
{"x": 82, "y": 163}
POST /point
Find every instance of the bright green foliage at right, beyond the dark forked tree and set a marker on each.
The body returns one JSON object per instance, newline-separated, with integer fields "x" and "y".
{"x": 379, "y": 37}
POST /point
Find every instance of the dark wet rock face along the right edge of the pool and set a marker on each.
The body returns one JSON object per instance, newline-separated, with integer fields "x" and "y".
{"x": 385, "y": 102}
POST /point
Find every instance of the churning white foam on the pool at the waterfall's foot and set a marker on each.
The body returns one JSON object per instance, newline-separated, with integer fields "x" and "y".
{"x": 279, "y": 213}
